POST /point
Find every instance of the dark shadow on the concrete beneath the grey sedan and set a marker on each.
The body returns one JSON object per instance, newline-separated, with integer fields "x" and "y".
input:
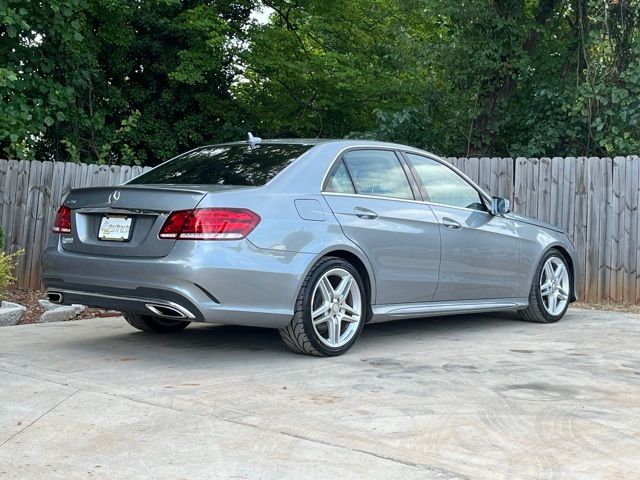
{"x": 212, "y": 339}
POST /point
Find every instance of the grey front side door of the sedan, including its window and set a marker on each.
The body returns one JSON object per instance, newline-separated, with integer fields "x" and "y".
{"x": 480, "y": 251}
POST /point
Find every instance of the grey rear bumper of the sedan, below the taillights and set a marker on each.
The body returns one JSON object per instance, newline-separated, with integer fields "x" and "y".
{"x": 217, "y": 282}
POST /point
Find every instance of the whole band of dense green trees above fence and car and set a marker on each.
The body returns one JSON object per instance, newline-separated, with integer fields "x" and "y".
{"x": 115, "y": 81}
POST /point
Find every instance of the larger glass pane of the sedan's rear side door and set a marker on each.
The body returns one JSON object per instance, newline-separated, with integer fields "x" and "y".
{"x": 378, "y": 172}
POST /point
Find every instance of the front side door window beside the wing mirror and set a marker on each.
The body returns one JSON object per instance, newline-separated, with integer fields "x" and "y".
{"x": 445, "y": 186}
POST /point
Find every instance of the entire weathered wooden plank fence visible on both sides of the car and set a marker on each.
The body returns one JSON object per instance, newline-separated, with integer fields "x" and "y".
{"x": 595, "y": 200}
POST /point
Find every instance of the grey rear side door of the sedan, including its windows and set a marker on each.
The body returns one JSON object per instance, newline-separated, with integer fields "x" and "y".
{"x": 370, "y": 193}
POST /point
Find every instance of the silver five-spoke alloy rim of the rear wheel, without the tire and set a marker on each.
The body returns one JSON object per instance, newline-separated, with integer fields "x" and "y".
{"x": 336, "y": 306}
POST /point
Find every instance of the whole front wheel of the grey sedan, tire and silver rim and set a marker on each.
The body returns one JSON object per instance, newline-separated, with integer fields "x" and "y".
{"x": 550, "y": 290}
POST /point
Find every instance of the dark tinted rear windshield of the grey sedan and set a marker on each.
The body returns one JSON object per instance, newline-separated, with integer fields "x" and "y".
{"x": 225, "y": 165}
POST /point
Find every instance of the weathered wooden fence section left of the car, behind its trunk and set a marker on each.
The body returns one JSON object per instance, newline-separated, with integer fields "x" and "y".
{"x": 30, "y": 194}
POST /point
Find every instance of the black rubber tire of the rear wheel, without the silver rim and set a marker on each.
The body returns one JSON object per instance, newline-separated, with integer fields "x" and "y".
{"x": 299, "y": 335}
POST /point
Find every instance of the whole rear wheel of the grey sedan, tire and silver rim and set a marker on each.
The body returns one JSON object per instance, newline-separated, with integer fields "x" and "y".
{"x": 330, "y": 310}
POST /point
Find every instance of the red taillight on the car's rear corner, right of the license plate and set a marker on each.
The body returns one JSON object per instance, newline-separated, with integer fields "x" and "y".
{"x": 209, "y": 224}
